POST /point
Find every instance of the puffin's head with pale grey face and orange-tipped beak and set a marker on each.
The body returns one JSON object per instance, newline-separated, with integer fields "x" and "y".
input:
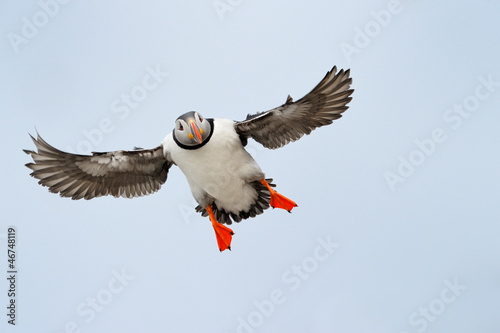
{"x": 192, "y": 130}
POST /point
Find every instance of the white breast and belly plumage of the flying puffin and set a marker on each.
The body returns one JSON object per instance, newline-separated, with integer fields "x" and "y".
{"x": 222, "y": 169}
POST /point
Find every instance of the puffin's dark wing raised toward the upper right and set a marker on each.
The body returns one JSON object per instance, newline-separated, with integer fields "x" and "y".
{"x": 290, "y": 121}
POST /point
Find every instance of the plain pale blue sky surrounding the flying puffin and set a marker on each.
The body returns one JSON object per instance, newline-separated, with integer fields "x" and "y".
{"x": 397, "y": 228}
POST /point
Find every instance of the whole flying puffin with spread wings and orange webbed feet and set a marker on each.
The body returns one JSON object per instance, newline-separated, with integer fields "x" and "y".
{"x": 226, "y": 182}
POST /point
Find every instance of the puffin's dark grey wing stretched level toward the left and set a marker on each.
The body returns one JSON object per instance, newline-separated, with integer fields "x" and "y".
{"x": 120, "y": 173}
